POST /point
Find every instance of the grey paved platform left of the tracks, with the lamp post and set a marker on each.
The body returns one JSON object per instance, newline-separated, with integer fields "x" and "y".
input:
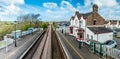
{"x": 23, "y": 43}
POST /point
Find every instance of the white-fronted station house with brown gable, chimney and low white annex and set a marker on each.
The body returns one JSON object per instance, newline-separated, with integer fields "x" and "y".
{"x": 90, "y": 26}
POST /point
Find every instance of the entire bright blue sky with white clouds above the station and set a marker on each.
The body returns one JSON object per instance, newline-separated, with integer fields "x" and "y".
{"x": 57, "y": 10}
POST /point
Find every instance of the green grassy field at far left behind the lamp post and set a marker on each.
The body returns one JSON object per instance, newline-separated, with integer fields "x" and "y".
{"x": 8, "y": 26}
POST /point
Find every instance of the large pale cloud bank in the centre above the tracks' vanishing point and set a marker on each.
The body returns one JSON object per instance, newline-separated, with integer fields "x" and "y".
{"x": 57, "y": 13}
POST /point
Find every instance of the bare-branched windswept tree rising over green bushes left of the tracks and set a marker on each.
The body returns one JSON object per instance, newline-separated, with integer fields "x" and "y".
{"x": 28, "y": 20}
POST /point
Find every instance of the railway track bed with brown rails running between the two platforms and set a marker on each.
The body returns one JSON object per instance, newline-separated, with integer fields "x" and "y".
{"x": 46, "y": 46}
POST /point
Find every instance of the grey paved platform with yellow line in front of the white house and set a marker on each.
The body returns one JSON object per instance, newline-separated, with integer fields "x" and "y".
{"x": 76, "y": 53}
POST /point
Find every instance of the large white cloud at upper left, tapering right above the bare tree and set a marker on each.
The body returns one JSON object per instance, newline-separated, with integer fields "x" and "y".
{"x": 10, "y": 9}
